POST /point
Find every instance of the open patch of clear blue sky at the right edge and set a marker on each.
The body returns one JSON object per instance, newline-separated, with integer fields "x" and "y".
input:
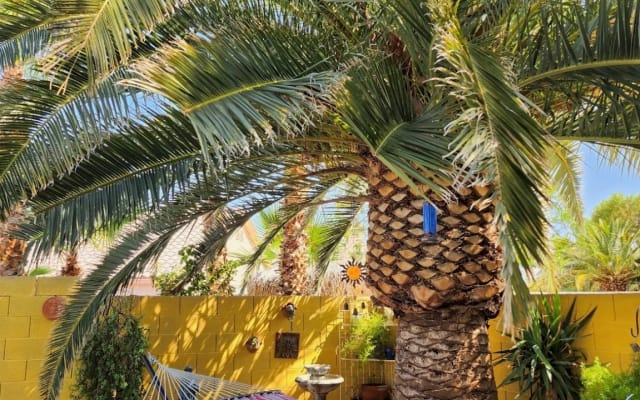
{"x": 599, "y": 181}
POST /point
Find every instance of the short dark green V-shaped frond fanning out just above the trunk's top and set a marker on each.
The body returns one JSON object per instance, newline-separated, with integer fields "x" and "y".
{"x": 381, "y": 113}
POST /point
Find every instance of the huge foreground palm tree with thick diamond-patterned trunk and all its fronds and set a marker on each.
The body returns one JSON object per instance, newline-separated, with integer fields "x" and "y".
{"x": 163, "y": 112}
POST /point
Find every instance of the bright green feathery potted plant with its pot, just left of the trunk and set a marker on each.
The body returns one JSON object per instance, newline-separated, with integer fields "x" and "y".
{"x": 370, "y": 338}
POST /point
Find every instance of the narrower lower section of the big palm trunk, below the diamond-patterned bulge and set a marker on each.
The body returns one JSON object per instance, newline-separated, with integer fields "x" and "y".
{"x": 444, "y": 355}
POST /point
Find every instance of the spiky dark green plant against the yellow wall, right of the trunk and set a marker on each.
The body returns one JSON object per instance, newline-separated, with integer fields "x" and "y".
{"x": 543, "y": 361}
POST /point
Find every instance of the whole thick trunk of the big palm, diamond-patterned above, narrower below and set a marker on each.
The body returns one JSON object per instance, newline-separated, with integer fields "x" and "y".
{"x": 445, "y": 291}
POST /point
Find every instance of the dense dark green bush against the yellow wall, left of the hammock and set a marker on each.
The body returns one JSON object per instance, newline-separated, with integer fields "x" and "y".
{"x": 111, "y": 366}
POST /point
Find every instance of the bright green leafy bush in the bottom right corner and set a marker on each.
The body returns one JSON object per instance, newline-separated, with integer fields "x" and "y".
{"x": 600, "y": 383}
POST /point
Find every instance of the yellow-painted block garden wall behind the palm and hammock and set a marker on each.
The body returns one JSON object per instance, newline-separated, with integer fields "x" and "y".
{"x": 209, "y": 334}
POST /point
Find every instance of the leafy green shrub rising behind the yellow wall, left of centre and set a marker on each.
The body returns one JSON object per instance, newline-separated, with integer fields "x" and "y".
{"x": 189, "y": 280}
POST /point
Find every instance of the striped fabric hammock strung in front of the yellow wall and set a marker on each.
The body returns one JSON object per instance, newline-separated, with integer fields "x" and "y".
{"x": 174, "y": 384}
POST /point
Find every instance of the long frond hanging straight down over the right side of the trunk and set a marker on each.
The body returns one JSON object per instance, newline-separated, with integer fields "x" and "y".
{"x": 496, "y": 137}
